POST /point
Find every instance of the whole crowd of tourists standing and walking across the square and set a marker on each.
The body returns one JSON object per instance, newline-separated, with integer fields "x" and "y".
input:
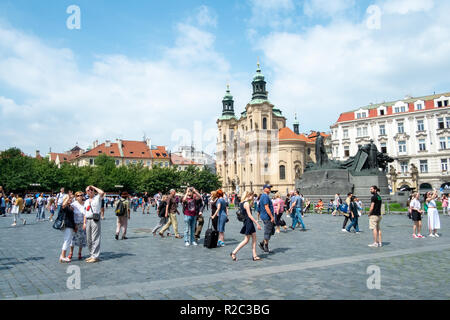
{"x": 79, "y": 215}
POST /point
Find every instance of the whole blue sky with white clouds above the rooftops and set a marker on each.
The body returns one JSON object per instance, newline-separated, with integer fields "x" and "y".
{"x": 159, "y": 69}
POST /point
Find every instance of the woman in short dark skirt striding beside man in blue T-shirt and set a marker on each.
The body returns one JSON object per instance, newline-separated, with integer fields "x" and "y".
{"x": 248, "y": 228}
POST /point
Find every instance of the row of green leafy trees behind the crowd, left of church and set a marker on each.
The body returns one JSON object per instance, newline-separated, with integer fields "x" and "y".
{"x": 20, "y": 173}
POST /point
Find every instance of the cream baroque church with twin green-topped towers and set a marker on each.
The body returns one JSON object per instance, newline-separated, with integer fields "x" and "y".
{"x": 255, "y": 147}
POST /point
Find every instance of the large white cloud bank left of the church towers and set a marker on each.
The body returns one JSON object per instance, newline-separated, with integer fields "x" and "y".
{"x": 117, "y": 97}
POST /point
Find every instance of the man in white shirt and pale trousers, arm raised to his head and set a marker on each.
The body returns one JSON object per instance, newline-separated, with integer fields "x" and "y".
{"x": 92, "y": 207}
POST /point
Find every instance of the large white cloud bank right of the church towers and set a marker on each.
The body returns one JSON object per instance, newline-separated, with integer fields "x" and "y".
{"x": 341, "y": 66}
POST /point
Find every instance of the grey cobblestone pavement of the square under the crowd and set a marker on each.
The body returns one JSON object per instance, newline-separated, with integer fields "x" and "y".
{"x": 320, "y": 263}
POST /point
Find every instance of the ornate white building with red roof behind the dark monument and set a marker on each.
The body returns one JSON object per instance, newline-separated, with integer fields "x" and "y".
{"x": 414, "y": 131}
